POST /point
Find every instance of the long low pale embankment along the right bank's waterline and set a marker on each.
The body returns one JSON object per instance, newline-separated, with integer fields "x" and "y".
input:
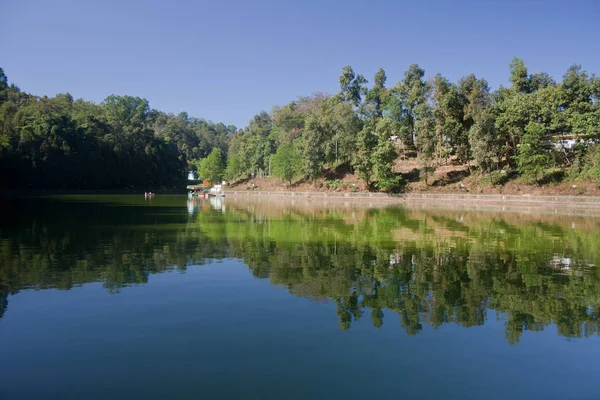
{"x": 555, "y": 204}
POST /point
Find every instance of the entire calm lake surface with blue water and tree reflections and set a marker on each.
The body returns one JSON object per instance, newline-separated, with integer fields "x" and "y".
{"x": 125, "y": 297}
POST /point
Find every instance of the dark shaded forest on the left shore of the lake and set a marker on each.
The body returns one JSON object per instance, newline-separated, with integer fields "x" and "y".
{"x": 60, "y": 142}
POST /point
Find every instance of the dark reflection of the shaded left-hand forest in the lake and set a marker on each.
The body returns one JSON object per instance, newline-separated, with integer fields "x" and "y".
{"x": 57, "y": 245}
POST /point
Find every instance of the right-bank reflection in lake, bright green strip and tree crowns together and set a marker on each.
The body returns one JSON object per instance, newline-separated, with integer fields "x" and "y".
{"x": 431, "y": 269}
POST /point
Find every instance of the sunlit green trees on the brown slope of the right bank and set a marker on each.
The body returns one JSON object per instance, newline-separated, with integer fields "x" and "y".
{"x": 366, "y": 129}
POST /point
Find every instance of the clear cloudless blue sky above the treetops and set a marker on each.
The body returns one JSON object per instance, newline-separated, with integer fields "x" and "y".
{"x": 228, "y": 60}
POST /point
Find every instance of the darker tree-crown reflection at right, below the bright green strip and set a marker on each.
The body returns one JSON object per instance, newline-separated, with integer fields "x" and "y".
{"x": 427, "y": 288}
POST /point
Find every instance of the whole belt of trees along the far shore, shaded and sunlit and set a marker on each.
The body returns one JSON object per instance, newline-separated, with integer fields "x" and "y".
{"x": 512, "y": 132}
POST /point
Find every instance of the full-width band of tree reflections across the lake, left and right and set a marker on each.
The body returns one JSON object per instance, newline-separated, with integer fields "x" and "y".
{"x": 427, "y": 268}
